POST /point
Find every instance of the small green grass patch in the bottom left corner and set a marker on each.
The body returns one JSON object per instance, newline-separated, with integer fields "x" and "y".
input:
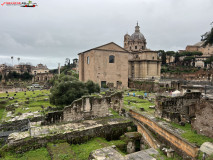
{"x": 38, "y": 154}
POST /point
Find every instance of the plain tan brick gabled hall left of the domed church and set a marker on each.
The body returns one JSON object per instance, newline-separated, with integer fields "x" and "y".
{"x": 105, "y": 65}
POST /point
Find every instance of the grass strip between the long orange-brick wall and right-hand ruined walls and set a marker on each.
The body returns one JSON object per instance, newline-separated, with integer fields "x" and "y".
{"x": 191, "y": 135}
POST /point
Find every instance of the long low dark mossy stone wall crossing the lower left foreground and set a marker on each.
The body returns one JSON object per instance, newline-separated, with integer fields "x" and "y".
{"x": 108, "y": 131}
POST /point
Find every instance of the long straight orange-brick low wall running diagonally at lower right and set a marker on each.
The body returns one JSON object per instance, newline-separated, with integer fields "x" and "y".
{"x": 180, "y": 145}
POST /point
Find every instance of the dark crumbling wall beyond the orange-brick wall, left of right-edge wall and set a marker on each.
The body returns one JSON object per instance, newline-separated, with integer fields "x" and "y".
{"x": 177, "y": 109}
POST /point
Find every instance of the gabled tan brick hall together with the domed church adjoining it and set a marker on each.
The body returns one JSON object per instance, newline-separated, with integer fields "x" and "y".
{"x": 111, "y": 65}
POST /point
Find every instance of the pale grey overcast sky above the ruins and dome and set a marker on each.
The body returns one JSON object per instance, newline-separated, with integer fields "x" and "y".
{"x": 59, "y": 29}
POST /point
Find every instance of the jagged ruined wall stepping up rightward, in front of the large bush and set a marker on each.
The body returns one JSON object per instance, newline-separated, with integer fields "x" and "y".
{"x": 86, "y": 107}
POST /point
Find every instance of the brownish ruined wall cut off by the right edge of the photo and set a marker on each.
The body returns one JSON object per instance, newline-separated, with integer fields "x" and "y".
{"x": 204, "y": 120}
